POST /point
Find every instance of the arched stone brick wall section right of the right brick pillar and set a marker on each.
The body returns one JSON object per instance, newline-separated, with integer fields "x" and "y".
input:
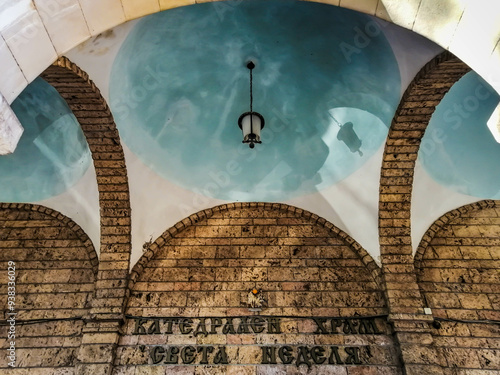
{"x": 458, "y": 267}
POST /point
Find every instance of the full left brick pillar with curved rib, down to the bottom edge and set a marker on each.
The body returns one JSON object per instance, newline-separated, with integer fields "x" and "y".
{"x": 102, "y": 332}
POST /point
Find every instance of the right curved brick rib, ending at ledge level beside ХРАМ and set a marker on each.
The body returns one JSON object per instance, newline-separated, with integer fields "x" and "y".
{"x": 396, "y": 182}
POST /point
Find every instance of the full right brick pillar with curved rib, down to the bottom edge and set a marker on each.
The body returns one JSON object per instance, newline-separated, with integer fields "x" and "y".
{"x": 405, "y": 302}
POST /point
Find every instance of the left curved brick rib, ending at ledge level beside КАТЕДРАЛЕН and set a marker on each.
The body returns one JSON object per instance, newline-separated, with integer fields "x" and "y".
{"x": 99, "y": 128}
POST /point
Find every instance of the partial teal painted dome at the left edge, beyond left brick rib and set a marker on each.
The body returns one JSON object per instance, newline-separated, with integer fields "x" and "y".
{"x": 52, "y": 154}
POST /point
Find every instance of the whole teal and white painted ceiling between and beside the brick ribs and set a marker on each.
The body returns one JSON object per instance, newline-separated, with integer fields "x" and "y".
{"x": 327, "y": 81}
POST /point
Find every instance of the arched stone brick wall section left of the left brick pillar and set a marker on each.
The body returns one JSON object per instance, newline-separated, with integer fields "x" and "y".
{"x": 55, "y": 266}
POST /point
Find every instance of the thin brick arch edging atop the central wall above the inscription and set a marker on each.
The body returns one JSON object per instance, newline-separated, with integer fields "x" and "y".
{"x": 188, "y": 222}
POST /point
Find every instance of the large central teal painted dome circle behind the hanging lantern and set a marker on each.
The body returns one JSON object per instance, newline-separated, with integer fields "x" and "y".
{"x": 324, "y": 81}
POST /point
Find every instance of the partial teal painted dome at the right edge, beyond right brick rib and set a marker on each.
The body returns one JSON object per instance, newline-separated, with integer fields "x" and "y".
{"x": 458, "y": 150}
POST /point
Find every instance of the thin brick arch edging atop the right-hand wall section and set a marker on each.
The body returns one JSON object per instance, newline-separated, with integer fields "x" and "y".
{"x": 444, "y": 220}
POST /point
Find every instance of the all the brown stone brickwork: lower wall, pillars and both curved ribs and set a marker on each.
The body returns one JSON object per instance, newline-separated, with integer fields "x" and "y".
{"x": 199, "y": 274}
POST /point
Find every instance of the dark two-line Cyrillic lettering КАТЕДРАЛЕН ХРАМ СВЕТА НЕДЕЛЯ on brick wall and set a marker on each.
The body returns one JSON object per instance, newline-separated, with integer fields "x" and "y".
{"x": 298, "y": 355}
